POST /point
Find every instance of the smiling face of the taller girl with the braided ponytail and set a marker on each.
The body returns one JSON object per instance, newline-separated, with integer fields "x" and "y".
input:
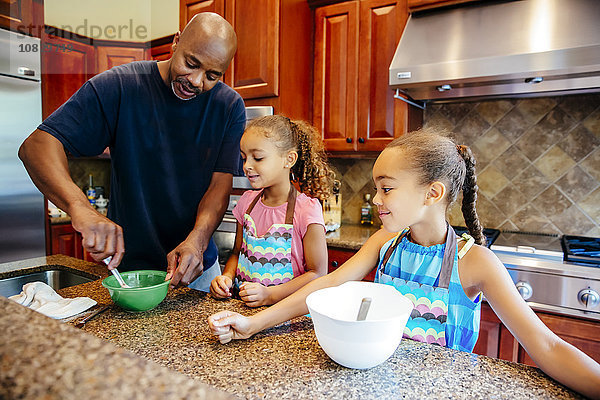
{"x": 400, "y": 199}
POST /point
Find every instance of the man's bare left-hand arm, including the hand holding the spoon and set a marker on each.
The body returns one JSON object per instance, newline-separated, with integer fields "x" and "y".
{"x": 44, "y": 158}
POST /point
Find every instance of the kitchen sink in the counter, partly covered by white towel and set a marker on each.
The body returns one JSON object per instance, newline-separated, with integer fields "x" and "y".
{"x": 55, "y": 278}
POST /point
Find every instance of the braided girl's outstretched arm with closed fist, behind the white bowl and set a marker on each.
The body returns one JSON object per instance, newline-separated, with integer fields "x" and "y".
{"x": 228, "y": 325}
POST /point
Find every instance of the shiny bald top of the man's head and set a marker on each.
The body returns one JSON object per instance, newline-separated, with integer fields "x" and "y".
{"x": 211, "y": 27}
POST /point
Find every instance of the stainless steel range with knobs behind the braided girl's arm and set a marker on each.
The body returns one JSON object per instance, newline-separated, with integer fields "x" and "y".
{"x": 546, "y": 276}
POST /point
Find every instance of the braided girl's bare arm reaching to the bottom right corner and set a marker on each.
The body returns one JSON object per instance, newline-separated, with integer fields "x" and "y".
{"x": 557, "y": 358}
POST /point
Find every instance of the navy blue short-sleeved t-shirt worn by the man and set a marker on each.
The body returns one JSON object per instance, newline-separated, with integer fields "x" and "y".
{"x": 163, "y": 151}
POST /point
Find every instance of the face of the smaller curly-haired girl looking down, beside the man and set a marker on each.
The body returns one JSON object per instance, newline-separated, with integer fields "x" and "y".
{"x": 264, "y": 163}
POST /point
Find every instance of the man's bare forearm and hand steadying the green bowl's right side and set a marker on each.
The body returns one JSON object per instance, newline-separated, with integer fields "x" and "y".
{"x": 185, "y": 262}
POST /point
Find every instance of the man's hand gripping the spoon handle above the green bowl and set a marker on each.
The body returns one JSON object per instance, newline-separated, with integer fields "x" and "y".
{"x": 101, "y": 237}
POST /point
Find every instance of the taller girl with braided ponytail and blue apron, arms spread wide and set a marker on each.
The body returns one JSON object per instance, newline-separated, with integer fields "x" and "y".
{"x": 417, "y": 177}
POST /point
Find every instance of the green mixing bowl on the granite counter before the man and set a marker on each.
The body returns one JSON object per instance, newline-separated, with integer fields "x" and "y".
{"x": 148, "y": 289}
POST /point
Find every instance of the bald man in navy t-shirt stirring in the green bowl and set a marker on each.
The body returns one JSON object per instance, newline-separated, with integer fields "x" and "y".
{"x": 173, "y": 130}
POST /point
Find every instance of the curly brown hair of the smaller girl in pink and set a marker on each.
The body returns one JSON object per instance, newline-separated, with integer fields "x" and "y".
{"x": 311, "y": 171}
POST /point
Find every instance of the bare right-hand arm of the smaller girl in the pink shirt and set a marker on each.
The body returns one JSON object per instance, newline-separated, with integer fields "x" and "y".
{"x": 315, "y": 254}
